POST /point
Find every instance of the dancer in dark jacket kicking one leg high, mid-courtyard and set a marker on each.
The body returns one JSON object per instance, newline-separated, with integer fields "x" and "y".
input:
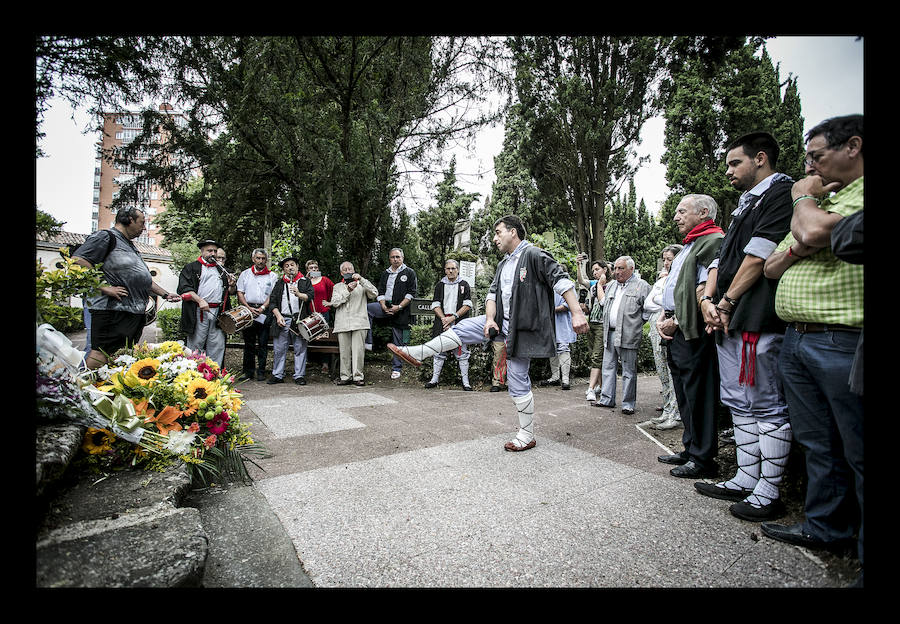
{"x": 520, "y": 307}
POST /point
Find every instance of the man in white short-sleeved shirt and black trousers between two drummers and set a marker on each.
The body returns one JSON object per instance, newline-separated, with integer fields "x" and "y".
{"x": 253, "y": 288}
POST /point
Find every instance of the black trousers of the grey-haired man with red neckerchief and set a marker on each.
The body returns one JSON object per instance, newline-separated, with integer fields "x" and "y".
{"x": 695, "y": 379}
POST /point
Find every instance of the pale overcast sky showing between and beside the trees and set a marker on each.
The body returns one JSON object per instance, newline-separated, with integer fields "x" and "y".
{"x": 830, "y": 81}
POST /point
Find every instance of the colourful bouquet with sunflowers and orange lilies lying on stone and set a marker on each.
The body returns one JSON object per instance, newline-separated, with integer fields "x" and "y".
{"x": 153, "y": 404}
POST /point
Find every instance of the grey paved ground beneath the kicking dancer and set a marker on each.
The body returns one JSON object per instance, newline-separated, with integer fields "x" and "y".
{"x": 392, "y": 485}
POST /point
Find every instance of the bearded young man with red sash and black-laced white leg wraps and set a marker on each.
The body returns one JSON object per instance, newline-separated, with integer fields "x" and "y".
{"x": 739, "y": 306}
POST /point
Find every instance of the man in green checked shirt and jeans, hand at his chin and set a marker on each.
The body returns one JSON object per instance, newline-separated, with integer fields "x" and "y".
{"x": 821, "y": 299}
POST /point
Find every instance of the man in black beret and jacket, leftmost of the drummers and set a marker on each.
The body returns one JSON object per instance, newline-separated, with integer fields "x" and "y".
{"x": 204, "y": 286}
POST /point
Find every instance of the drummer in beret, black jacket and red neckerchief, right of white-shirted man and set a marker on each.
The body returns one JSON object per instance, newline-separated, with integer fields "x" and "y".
{"x": 289, "y": 304}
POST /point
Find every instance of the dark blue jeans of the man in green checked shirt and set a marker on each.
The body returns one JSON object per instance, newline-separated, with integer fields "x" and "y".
{"x": 827, "y": 421}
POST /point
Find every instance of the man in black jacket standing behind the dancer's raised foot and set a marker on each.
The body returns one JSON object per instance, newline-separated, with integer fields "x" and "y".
{"x": 396, "y": 290}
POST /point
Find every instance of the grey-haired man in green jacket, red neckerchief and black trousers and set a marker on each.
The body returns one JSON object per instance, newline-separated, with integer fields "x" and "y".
{"x": 692, "y": 351}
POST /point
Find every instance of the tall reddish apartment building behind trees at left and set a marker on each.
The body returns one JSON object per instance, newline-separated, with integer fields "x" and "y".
{"x": 120, "y": 129}
